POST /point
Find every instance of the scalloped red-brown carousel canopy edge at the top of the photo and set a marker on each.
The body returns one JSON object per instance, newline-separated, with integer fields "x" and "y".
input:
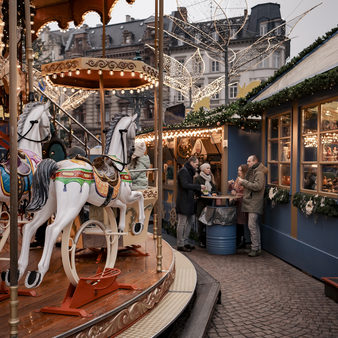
{"x": 65, "y": 11}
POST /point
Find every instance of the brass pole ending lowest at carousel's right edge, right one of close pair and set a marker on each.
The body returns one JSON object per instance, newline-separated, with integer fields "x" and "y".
{"x": 160, "y": 130}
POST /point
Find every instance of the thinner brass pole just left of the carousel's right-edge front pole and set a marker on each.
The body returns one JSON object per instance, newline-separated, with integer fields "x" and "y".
{"x": 155, "y": 117}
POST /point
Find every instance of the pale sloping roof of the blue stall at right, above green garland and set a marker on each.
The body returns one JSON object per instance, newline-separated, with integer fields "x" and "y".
{"x": 318, "y": 61}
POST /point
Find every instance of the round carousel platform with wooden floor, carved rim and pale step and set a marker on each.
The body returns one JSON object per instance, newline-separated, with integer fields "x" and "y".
{"x": 159, "y": 298}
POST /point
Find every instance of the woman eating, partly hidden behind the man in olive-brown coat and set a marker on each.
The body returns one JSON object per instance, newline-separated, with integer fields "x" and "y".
{"x": 237, "y": 189}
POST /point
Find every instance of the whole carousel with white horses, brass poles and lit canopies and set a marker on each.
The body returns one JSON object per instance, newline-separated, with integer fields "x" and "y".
{"x": 110, "y": 277}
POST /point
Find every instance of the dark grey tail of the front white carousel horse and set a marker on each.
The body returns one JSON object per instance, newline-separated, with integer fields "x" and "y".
{"x": 41, "y": 181}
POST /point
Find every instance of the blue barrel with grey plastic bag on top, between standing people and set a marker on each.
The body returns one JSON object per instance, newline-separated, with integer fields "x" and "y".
{"x": 220, "y": 229}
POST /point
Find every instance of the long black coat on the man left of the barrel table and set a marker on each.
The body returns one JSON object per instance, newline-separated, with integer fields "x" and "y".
{"x": 185, "y": 203}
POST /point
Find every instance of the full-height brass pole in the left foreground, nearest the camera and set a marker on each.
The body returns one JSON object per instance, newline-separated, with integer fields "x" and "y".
{"x": 14, "y": 319}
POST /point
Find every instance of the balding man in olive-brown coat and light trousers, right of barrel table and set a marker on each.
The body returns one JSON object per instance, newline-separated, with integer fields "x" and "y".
{"x": 253, "y": 195}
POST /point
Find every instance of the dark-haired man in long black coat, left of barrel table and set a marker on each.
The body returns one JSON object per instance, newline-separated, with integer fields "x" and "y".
{"x": 185, "y": 202}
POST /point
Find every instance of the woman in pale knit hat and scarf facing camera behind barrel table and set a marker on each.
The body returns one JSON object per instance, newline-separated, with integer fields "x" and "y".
{"x": 204, "y": 178}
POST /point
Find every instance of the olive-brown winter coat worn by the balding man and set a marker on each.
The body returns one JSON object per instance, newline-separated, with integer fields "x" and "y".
{"x": 254, "y": 187}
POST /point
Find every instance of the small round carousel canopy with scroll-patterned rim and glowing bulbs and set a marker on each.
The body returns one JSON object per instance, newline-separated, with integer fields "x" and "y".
{"x": 85, "y": 72}
